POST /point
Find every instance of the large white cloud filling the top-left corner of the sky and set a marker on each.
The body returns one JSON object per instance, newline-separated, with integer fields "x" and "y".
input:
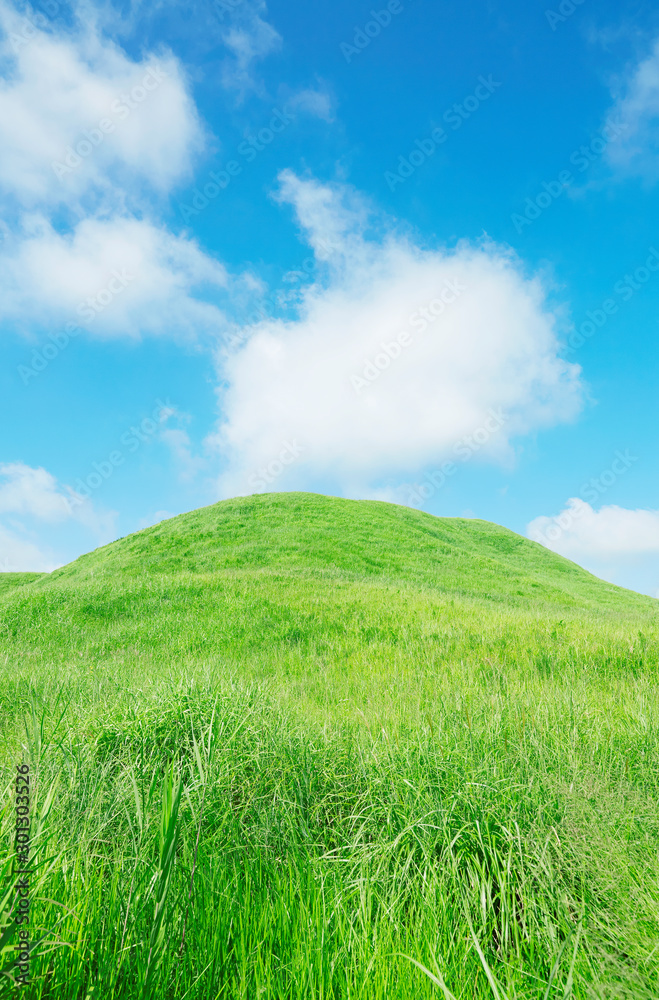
{"x": 55, "y": 91}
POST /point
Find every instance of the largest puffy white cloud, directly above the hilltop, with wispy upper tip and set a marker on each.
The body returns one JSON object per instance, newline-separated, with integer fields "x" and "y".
{"x": 336, "y": 387}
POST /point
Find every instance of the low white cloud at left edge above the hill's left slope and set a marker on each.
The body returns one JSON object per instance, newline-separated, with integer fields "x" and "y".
{"x": 29, "y": 498}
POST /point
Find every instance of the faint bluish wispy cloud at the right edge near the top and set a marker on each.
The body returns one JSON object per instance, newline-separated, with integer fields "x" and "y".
{"x": 637, "y": 104}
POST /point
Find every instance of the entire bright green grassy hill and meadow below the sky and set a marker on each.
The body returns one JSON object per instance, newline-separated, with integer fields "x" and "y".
{"x": 291, "y": 746}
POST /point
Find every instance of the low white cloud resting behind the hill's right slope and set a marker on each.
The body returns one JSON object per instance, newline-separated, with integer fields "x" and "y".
{"x": 615, "y": 543}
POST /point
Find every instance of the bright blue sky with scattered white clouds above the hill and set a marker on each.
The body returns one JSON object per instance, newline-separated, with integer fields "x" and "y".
{"x": 406, "y": 252}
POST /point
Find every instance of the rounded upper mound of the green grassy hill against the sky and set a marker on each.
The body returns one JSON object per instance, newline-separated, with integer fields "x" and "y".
{"x": 309, "y": 534}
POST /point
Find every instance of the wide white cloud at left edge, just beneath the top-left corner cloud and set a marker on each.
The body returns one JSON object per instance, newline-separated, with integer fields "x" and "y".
{"x": 116, "y": 277}
